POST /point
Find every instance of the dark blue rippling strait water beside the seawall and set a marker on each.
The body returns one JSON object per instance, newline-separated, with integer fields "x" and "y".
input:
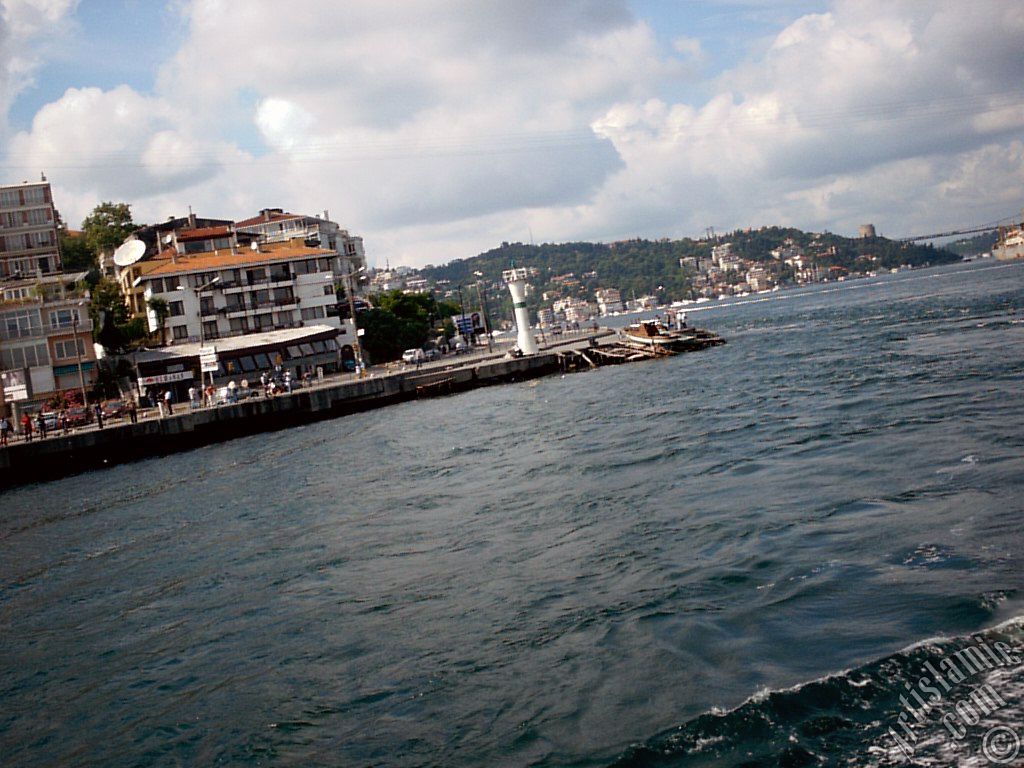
{"x": 724, "y": 559}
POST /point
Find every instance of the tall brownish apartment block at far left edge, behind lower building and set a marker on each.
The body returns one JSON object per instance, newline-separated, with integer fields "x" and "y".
{"x": 29, "y": 244}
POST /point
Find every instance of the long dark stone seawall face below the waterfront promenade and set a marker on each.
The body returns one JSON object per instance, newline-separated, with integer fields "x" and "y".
{"x": 117, "y": 444}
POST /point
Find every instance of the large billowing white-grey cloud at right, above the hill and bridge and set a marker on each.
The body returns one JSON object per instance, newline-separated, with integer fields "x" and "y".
{"x": 871, "y": 111}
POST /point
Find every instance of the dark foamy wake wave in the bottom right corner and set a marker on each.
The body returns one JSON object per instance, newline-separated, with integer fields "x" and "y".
{"x": 894, "y": 712}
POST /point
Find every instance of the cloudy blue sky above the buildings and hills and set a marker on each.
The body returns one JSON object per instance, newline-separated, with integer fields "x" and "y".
{"x": 438, "y": 130}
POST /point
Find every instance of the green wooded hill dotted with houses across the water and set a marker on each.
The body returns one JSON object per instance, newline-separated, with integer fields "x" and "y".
{"x": 653, "y": 268}
